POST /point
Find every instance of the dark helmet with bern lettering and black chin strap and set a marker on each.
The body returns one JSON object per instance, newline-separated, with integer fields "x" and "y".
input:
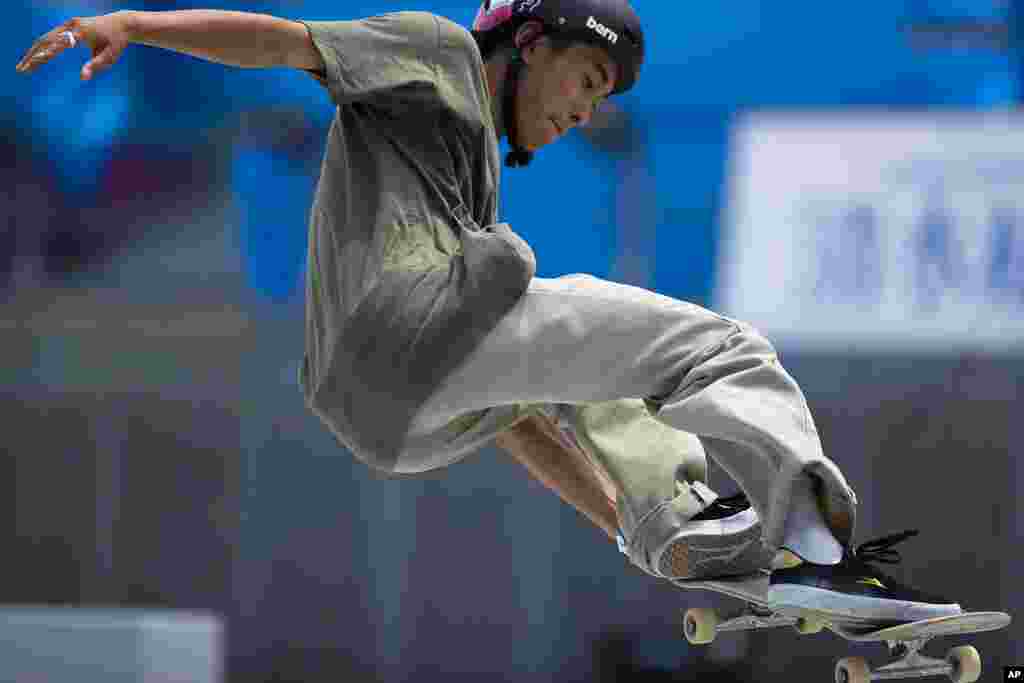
{"x": 613, "y": 25}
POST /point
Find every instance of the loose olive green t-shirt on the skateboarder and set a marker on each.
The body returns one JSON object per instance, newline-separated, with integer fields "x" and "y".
{"x": 408, "y": 269}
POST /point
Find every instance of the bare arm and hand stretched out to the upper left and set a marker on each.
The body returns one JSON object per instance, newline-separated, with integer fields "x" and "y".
{"x": 246, "y": 40}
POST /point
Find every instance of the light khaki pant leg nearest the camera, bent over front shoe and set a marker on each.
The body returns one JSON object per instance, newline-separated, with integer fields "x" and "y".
{"x": 582, "y": 340}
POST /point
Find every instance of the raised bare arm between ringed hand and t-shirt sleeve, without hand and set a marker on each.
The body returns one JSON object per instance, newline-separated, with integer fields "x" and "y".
{"x": 246, "y": 40}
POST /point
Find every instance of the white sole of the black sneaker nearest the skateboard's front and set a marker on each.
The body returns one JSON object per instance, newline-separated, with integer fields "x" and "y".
{"x": 855, "y": 608}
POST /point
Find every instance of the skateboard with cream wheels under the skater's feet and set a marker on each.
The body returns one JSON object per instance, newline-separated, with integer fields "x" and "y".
{"x": 962, "y": 665}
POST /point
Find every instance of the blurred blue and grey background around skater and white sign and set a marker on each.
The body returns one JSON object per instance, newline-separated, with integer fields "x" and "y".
{"x": 156, "y": 450}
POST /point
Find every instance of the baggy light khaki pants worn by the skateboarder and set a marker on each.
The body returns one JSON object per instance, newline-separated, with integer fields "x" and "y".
{"x": 637, "y": 375}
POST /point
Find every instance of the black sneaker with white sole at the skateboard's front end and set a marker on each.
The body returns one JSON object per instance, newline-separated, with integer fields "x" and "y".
{"x": 857, "y": 591}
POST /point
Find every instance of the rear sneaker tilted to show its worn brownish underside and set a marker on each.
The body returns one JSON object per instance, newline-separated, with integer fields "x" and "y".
{"x": 724, "y": 540}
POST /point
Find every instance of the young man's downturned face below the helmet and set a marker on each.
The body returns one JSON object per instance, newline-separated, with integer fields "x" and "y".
{"x": 560, "y": 91}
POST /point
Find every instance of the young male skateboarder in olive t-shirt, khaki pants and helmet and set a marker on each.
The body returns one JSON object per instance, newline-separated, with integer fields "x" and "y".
{"x": 429, "y": 335}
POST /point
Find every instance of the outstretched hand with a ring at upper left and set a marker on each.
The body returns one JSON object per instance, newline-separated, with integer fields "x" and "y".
{"x": 107, "y": 36}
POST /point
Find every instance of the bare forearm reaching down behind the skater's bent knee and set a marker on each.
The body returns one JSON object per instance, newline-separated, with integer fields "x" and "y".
{"x": 563, "y": 468}
